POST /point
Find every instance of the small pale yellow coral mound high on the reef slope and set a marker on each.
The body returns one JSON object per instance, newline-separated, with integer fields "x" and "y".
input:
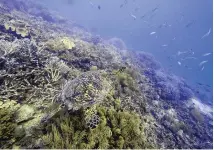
{"x": 61, "y": 43}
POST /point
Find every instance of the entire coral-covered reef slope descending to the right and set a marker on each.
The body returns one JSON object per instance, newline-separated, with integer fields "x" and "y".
{"x": 62, "y": 87}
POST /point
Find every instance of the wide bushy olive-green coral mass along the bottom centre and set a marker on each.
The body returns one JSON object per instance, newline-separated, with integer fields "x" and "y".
{"x": 116, "y": 129}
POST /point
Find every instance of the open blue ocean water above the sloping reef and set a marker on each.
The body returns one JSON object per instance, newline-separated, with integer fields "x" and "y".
{"x": 178, "y": 25}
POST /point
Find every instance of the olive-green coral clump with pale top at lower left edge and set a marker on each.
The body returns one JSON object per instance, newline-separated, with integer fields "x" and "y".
{"x": 7, "y": 121}
